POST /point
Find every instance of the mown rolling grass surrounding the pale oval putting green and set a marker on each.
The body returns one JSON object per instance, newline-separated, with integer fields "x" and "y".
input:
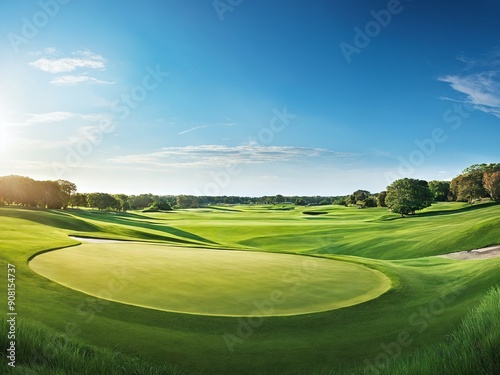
{"x": 428, "y": 299}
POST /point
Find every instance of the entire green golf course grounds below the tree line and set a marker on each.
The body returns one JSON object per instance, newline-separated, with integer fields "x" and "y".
{"x": 253, "y": 289}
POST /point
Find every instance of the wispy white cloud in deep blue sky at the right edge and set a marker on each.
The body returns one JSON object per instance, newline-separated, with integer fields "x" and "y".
{"x": 481, "y": 83}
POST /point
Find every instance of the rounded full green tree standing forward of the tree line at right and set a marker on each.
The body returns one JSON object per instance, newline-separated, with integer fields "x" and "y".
{"x": 407, "y": 195}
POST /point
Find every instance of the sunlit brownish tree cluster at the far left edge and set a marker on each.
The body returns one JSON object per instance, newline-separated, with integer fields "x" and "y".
{"x": 24, "y": 191}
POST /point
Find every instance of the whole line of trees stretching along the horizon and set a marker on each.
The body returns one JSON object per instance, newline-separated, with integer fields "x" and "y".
{"x": 404, "y": 196}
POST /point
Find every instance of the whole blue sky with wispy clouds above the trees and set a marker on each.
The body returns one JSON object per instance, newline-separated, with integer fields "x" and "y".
{"x": 247, "y": 97}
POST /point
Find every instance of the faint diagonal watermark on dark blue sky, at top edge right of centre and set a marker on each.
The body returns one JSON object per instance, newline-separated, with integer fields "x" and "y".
{"x": 363, "y": 36}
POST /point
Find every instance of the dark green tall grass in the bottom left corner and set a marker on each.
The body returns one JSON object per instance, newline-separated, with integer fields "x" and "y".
{"x": 41, "y": 350}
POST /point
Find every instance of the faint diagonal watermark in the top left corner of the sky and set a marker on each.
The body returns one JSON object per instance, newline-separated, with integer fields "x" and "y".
{"x": 31, "y": 26}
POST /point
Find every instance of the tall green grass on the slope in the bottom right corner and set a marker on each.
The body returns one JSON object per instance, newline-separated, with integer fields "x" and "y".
{"x": 472, "y": 349}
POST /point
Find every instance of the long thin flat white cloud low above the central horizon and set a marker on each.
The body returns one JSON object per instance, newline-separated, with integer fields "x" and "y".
{"x": 212, "y": 155}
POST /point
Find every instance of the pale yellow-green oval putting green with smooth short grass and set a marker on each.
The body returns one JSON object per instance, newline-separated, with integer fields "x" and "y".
{"x": 210, "y": 282}
